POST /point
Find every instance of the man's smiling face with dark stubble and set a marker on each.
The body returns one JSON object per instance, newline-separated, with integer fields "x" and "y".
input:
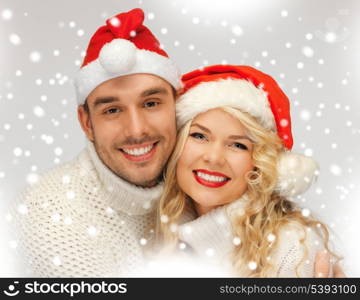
{"x": 131, "y": 120}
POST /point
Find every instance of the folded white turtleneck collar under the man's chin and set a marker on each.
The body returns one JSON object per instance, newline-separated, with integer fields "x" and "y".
{"x": 122, "y": 195}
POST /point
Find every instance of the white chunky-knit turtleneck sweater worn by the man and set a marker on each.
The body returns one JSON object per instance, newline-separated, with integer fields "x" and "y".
{"x": 80, "y": 219}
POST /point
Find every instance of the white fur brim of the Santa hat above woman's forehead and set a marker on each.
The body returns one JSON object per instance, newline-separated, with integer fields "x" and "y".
{"x": 239, "y": 93}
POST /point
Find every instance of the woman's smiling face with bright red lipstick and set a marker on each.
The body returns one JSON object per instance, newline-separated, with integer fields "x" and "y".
{"x": 216, "y": 157}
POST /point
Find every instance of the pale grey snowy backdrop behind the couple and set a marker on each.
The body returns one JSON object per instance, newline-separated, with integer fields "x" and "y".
{"x": 324, "y": 92}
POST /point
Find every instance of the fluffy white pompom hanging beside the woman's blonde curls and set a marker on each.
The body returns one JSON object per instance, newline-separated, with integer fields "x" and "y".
{"x": 296, "y": 173}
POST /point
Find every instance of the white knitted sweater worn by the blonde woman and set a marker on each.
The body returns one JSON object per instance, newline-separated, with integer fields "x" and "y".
{"x": 210, "y": 236}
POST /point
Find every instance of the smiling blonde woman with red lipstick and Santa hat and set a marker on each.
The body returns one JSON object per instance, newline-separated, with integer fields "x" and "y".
{"x": 232, "y": 164}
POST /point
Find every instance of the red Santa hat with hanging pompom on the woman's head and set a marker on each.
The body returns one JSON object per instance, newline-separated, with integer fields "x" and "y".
{"x": 258, "y": 94}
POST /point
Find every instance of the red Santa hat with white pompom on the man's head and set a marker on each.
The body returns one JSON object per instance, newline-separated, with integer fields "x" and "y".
{"x": 121, "y": 47}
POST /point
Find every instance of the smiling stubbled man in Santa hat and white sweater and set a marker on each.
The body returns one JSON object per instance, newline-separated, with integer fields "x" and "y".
{"x": 93, "y": 216}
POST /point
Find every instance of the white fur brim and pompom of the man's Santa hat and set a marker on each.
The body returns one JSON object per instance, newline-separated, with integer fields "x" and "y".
{"x": 118, "y": 58}
